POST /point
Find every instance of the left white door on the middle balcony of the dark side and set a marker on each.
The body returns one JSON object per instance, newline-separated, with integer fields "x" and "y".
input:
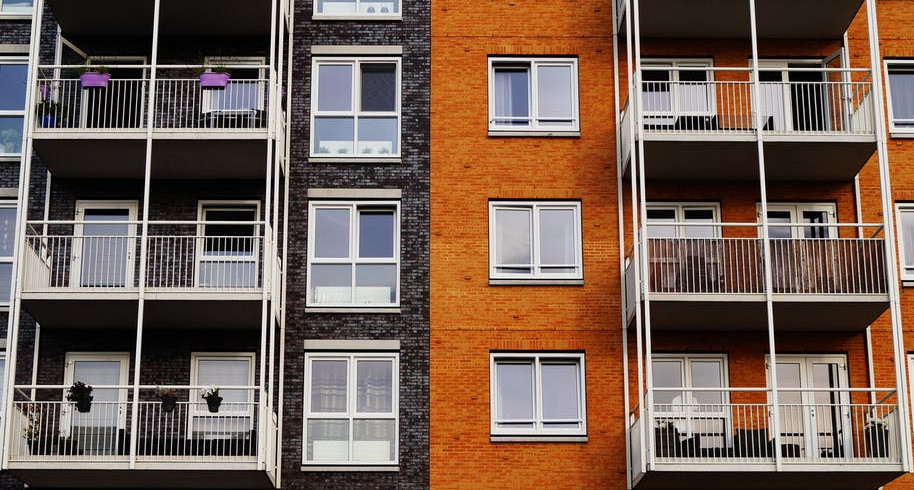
{"x": 104, "y": 243}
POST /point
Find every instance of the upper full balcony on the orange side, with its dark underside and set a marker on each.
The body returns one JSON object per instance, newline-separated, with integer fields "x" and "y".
{"x": 812, "y": 130}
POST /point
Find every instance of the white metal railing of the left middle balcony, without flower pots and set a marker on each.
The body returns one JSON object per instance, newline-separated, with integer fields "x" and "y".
{"x": 181, "y": 256}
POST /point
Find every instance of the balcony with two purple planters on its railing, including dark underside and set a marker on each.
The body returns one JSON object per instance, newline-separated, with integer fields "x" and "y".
{"x": 198, "y": 132}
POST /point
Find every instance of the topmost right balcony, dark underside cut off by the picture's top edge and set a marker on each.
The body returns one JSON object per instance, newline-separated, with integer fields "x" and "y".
{"x": 818, "y": 19}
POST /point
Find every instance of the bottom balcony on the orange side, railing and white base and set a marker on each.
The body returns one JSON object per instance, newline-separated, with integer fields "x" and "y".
{"x": 709, "y": 439}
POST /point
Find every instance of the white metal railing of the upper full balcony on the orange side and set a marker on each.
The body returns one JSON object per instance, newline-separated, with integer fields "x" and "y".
{"x": 708, "y": 100}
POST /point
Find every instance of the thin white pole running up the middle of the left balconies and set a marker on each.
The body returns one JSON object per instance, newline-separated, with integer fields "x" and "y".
{"x": 141, "y": 285}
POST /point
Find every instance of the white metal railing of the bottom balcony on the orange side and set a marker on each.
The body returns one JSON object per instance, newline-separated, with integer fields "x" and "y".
{"x": 817, "y": 426}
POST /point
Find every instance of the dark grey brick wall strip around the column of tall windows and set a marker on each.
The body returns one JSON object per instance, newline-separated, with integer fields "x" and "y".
{"x": 411, "y": 326}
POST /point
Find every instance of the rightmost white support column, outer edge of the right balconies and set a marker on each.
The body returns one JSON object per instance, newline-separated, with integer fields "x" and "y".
{"x": 889, "y": 226}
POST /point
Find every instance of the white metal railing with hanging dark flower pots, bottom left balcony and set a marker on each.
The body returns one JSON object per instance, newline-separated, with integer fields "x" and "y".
{"x": 185, "y": 429}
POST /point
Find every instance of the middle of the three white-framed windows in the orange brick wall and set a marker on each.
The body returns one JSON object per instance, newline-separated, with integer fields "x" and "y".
{"x": 535, "y": 240}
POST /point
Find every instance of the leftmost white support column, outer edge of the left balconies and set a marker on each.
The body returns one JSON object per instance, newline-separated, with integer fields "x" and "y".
{"x": 25, "y": 168}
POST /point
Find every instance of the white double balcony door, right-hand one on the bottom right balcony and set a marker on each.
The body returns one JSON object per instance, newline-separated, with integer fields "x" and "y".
{"x": 814, "y": 416}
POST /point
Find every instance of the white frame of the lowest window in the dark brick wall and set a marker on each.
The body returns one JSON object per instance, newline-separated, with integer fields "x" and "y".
{"x": 351, "y": 393}
